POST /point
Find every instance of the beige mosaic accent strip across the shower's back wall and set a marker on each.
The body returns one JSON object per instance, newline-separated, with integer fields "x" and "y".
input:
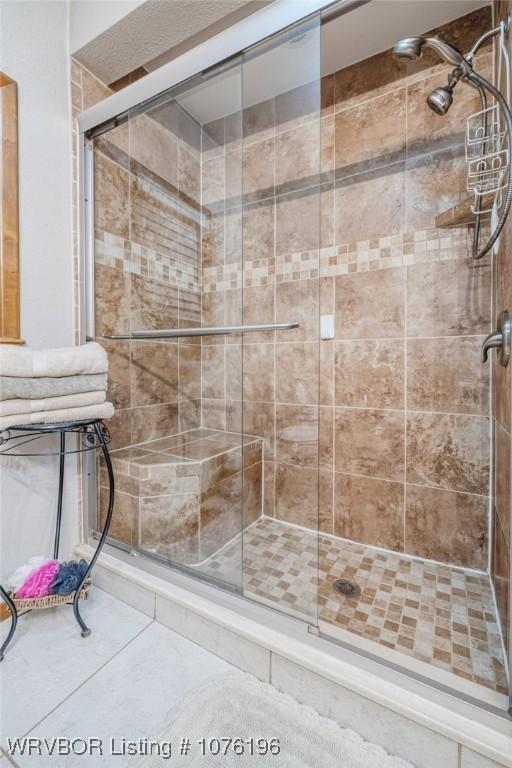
{"x": 363, "y": 256}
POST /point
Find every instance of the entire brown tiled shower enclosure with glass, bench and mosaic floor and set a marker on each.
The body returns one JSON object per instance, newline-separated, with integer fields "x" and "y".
{"x": 294, "y": 339}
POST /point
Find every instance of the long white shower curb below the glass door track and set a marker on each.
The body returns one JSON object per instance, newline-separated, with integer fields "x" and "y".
{"x": 232, "y": 628}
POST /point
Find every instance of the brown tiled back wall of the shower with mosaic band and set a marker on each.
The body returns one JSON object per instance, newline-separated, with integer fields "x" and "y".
{"x": 338, "y": 218}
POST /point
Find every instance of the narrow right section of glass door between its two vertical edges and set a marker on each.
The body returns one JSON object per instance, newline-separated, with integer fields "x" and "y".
{"x": 280, "y": 279}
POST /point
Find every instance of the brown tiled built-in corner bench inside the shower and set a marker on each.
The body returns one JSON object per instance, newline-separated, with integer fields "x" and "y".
{"x": 185, "y": 496}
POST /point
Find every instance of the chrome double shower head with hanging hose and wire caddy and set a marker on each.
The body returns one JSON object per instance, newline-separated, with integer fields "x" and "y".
{"x": 440, "y": 101}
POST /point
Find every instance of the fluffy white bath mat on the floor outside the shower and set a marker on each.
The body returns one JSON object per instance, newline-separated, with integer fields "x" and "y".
{"x": 238, "y": 706}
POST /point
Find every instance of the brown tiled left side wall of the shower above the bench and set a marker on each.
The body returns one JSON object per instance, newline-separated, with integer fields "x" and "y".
{"x": 147, "y": 264}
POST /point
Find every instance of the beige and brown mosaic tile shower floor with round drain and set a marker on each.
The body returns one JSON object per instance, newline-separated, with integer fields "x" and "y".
{"x": 440, "y": 615}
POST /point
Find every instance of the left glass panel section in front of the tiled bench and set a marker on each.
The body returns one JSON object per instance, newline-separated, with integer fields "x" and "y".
{"x": 178, "y": 466}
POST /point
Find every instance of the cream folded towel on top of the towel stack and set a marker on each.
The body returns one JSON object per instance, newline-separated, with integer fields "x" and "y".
{"x": 67, "y": 361}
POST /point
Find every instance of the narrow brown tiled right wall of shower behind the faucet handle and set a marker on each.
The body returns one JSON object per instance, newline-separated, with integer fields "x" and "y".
{"x": 501, "y": 562}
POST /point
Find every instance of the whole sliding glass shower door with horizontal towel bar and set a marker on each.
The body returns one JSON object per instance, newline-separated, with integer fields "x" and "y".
{"x": 207, "y": 218}
